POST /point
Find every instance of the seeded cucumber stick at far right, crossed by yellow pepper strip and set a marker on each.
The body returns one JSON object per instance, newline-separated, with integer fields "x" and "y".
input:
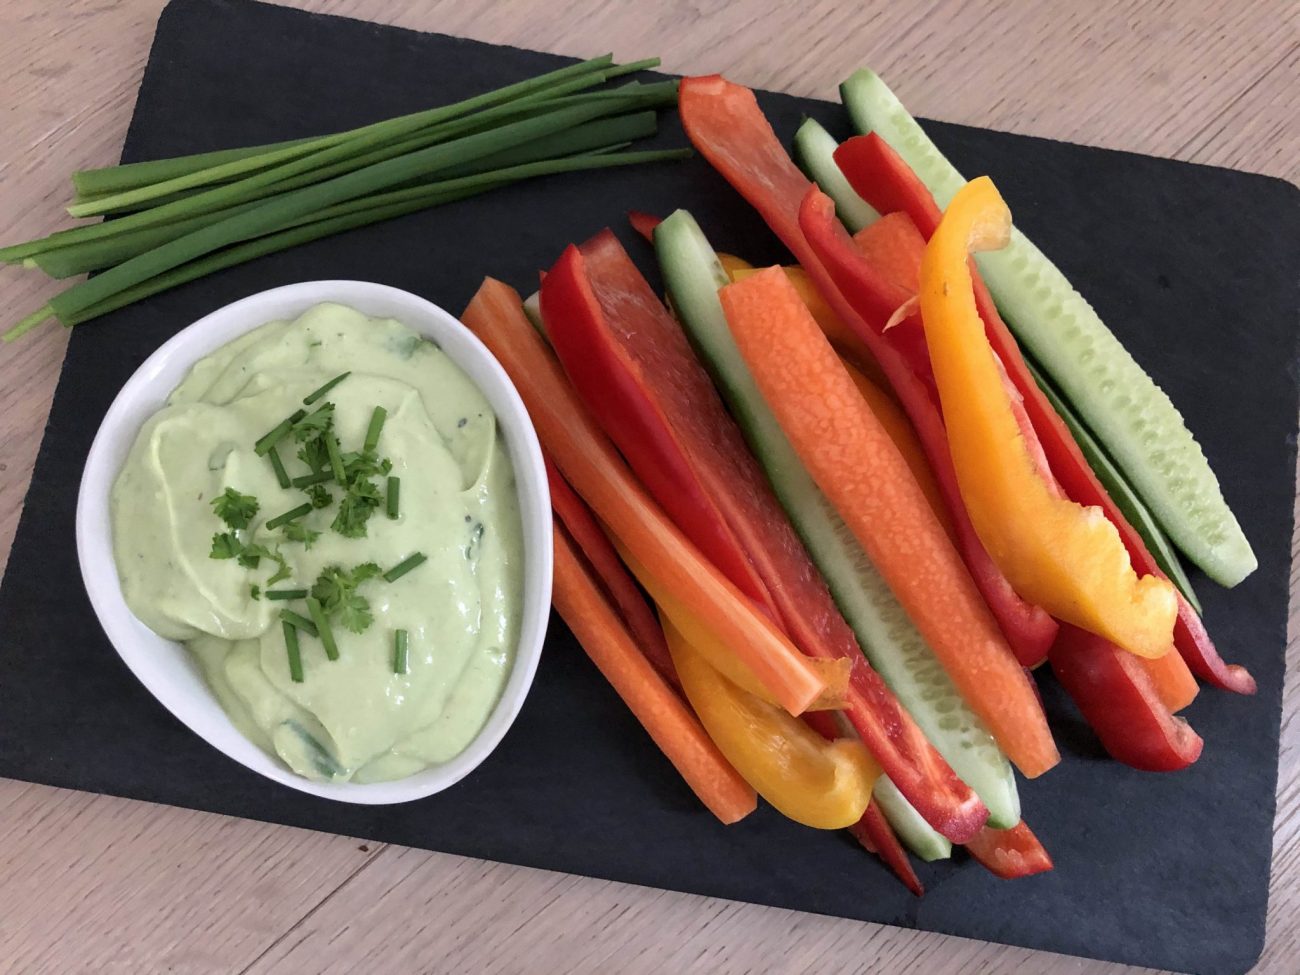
{"x": 1133, "y": 418}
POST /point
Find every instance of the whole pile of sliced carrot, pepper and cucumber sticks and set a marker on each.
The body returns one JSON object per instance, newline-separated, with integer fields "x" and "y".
{"x": 814, "y": 523}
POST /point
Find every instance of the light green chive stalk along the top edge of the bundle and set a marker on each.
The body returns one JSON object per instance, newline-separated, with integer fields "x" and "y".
{"x": 159, "y": 184}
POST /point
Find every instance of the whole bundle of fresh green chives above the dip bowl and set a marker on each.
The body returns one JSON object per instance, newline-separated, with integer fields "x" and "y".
{"x": 181, "y": 219}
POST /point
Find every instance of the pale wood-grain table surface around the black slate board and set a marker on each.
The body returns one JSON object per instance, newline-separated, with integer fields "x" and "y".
{"x": 97, "y": 885}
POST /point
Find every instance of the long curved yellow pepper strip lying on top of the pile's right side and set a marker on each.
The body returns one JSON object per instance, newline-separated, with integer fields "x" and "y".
{"x": 1058, "y": 554}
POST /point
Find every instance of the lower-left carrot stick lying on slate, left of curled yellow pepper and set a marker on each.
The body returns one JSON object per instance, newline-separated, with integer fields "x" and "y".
{"x": 675, "y": 730}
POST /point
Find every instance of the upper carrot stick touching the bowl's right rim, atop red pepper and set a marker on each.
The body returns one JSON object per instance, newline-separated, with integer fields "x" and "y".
{"x": 591, "y": 465}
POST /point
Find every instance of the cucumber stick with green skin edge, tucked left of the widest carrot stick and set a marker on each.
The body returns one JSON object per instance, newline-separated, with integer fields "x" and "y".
{"x": 889, "y": 638}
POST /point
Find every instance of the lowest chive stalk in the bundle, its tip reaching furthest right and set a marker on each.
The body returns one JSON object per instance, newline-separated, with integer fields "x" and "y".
{"x": 362, "y": 215}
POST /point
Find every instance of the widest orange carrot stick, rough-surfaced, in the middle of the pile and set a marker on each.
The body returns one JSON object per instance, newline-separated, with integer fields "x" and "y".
{"x": 857, "y": 466}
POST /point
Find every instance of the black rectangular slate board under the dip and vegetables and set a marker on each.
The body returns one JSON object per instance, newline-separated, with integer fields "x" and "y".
{"x": 1194, "y": 267}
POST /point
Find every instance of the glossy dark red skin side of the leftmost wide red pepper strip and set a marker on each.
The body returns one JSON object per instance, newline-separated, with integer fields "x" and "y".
{"x": 595, "y": 363}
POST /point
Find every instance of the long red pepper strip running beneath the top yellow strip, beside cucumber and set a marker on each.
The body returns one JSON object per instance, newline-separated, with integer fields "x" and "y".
{"x": 883, "y": 179}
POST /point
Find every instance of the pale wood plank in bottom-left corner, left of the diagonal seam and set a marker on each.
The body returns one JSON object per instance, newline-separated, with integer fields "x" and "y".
{"x": 153, "y": 889}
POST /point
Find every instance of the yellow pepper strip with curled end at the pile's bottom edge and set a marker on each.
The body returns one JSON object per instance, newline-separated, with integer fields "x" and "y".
{"x": 818, "y": 783}
